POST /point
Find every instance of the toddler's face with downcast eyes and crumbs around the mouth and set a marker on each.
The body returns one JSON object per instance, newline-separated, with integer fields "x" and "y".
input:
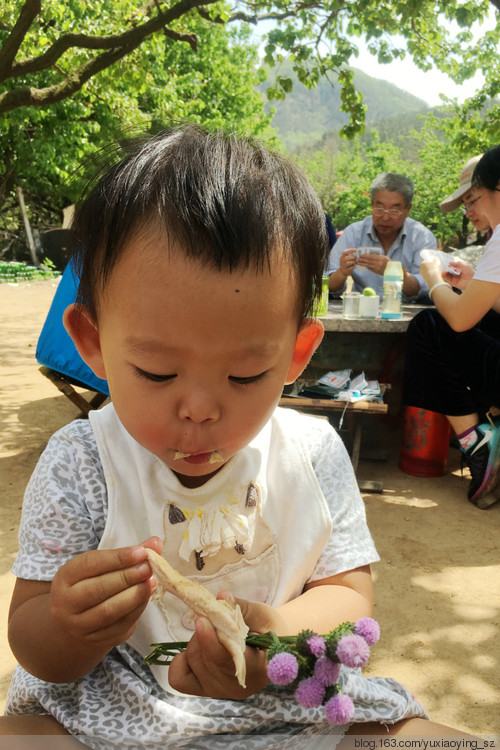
{"x": 196, "y": 359}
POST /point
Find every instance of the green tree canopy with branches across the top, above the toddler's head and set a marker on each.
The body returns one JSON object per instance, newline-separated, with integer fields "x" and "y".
{"x": 73, "y": 73}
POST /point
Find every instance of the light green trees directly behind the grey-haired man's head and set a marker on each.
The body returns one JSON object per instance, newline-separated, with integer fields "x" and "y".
{"x": 342, "y": 173}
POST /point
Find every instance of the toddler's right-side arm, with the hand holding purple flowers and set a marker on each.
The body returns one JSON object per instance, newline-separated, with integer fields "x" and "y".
{"x": 206, "y": 668}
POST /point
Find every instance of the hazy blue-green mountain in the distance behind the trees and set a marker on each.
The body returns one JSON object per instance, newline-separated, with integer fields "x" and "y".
{"x": 314, "y": 112}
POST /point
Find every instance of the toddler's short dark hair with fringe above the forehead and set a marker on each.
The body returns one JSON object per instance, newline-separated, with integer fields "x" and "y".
{"x": 227, "y": 201}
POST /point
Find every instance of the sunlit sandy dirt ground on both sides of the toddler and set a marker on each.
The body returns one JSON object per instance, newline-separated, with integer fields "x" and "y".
{"x": 437, "y": 586}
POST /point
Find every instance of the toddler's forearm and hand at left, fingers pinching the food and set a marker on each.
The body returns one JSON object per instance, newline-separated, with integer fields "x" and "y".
{"x": 60, "y": 630}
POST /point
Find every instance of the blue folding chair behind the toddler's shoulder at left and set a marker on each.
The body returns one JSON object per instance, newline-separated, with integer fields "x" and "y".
{"x": 58, "y": 356}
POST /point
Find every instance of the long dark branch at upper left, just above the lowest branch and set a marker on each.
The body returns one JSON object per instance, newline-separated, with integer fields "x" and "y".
{"x": 128, "y": 39}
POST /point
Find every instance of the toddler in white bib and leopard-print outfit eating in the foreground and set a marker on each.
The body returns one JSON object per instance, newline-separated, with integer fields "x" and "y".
{"x": 199, "y": 257}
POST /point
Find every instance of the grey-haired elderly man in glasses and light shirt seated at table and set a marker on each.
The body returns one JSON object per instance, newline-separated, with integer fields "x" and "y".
{"x": 394, "y": 235}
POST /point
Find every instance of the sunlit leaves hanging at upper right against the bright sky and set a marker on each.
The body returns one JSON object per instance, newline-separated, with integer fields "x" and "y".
{"x": 421, "y": 27}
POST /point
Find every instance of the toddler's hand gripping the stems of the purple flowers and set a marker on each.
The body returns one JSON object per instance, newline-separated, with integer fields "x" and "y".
{"x": 207, "y": 668}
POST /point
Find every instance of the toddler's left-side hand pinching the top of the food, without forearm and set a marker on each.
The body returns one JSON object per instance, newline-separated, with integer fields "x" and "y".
{"x": 98, "y": 596}
